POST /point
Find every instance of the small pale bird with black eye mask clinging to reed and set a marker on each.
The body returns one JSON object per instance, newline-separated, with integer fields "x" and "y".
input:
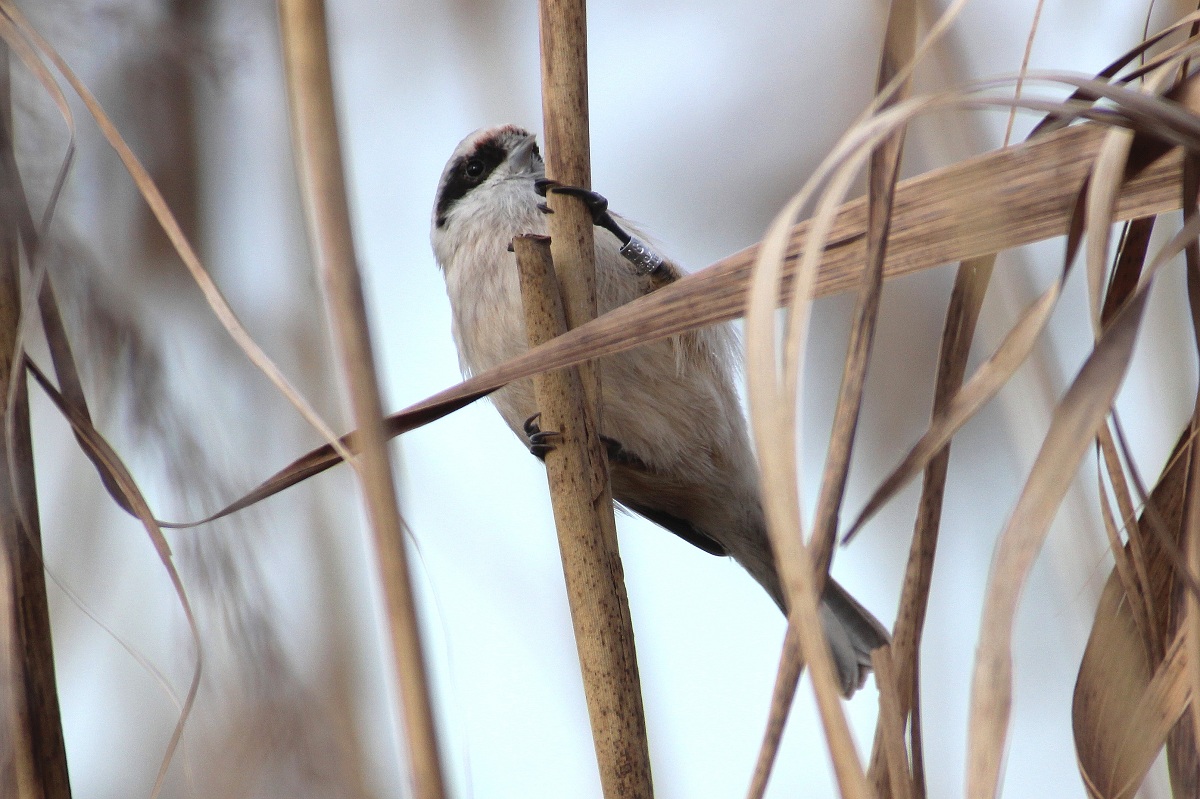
{"x": 680, "y": 453}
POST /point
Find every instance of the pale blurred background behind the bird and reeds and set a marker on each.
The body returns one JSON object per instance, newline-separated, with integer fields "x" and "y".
{"x": 706, "y": 117}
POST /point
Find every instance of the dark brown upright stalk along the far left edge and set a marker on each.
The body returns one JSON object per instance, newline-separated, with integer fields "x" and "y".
{"x": 38, "y": 768}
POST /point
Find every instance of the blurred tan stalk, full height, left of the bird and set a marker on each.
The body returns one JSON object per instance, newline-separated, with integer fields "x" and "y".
{"x": 323, "y": 190}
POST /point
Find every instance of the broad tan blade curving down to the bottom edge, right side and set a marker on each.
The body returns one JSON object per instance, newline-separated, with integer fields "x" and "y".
{"x": 1073, "y": 426}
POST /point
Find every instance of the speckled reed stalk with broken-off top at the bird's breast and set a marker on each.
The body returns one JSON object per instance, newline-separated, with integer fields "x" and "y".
{"x": 587, "y": 542}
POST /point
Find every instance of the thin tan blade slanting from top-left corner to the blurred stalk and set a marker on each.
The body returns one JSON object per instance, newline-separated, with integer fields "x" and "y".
{"x": 171, "y": 227}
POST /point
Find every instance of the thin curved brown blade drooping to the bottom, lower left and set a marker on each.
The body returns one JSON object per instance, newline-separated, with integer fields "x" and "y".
{"x": 104, "y": 456}
